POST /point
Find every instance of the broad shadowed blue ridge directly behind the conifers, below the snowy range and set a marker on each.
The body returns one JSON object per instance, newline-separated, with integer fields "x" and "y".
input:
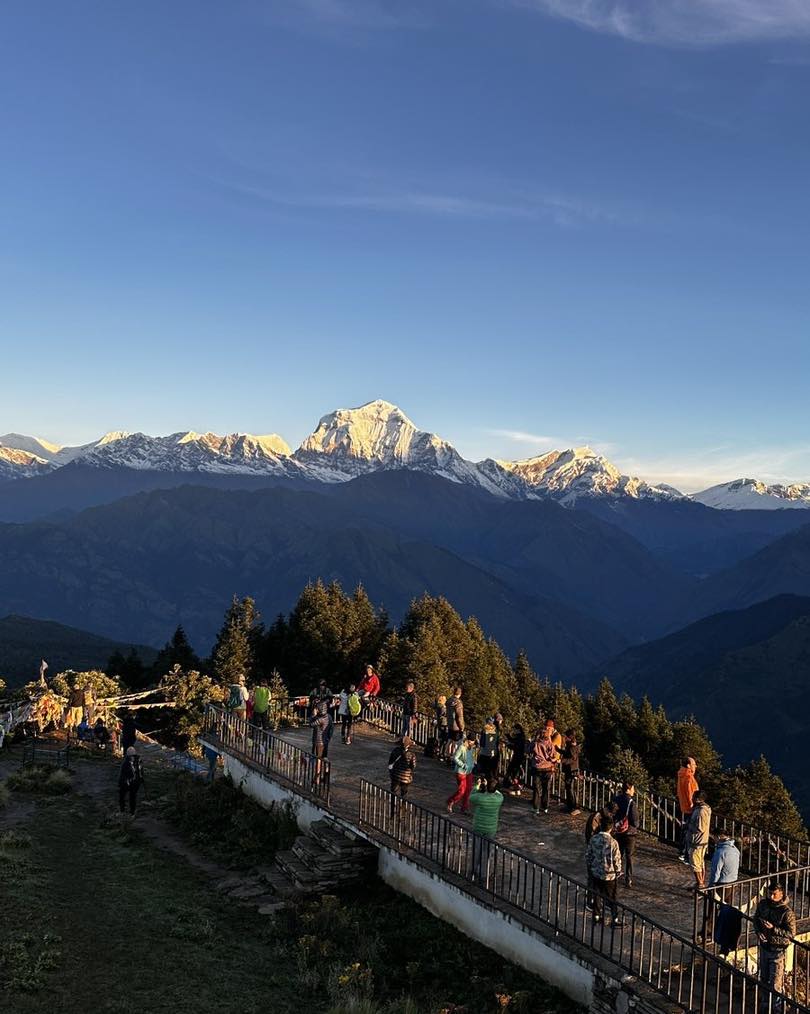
{"x": 137, "y": 567}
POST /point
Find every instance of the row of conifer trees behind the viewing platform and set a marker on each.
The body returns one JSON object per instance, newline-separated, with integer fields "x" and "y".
{"x": 332, "y": 634}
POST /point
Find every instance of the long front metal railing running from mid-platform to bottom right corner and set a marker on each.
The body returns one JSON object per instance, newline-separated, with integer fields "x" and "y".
{"x": 684, "y": 972}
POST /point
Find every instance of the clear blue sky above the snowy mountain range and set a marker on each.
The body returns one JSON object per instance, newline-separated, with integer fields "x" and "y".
{"x": 529, "y": 224}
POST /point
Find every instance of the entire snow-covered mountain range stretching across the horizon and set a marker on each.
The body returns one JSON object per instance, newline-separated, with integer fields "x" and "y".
{"x": 379, "y": 437}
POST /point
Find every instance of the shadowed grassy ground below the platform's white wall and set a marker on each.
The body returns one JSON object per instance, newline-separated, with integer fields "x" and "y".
{"x": 104, "y": 921}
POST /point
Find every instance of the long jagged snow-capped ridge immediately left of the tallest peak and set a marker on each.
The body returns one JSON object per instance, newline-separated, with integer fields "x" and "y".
{"x": 190, "y": 452}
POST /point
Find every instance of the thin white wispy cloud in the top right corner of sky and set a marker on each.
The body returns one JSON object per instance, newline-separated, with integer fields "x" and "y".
{"x": 685, "y": 23}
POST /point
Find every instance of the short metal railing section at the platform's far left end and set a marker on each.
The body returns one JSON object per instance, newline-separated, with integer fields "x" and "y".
{"x": 302, "y": 769}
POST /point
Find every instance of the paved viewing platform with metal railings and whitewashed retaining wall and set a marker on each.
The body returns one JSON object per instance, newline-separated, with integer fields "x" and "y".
{"x": 529, "y": 898}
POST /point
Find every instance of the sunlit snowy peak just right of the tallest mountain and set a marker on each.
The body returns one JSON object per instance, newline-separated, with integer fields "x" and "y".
{"x": 580, "y": 472}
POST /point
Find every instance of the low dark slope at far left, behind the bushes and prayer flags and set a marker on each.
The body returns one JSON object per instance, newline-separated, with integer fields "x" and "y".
{"x": 25, "y": 641}
